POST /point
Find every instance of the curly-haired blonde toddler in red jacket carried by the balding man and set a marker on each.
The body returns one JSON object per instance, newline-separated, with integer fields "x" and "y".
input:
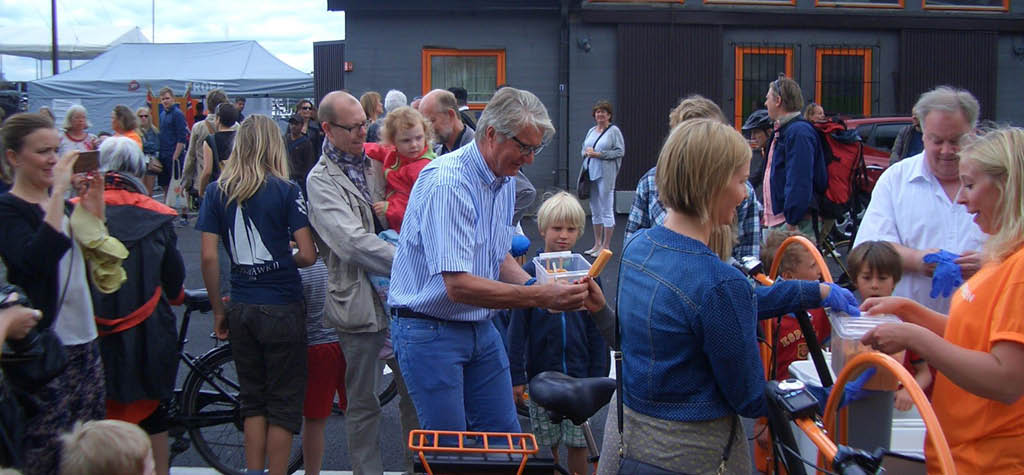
{"x": 407, "y": 148}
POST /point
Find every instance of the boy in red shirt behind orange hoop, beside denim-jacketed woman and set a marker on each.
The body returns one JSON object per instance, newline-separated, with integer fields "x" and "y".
{"x": 796, "y": 265}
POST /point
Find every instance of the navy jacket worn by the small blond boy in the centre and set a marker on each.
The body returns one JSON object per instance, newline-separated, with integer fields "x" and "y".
{"x": 568, "y": 342}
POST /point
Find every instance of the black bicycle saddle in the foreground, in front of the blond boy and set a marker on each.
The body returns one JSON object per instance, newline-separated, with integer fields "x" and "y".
{"x": 574, "y": 399}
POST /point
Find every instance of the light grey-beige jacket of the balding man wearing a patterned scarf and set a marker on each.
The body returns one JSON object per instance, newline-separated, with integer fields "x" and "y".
{"x": 344, "y": 227}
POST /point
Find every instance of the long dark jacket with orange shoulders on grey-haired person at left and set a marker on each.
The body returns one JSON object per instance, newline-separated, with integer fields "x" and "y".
{"x": 137, "y": 324}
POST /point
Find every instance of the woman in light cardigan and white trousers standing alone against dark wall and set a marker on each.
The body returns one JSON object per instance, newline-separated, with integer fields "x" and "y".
{"x": 603, "y": 155}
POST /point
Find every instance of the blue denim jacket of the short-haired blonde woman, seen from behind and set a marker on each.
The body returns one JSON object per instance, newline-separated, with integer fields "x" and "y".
{"x": 688, "y": 332}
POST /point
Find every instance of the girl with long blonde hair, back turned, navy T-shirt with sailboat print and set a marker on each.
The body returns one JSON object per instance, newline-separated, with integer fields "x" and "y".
{"x": 257, "y": 212}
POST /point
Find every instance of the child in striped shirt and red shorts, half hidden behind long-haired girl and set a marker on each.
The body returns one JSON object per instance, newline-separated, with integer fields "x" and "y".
{"x": 326, "y": 366}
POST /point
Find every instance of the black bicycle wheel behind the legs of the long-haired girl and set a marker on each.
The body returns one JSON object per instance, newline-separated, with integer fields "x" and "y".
{"x": 214, "y": 414}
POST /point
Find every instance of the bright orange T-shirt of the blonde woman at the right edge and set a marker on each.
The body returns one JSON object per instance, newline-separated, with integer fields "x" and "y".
{"x": 985, "y": 436}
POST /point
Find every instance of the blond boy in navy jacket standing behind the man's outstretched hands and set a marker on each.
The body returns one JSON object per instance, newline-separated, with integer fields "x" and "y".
{"x": 568, "y": 342}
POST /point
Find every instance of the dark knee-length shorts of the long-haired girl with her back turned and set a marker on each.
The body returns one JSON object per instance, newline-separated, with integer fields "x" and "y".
{"x": 269, "y": 344}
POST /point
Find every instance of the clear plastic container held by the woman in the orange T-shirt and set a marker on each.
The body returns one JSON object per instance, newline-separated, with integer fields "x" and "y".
{"x": 847, "y": 332}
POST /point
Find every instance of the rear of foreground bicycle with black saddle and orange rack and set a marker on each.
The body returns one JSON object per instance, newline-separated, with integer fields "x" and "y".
{"x": 563, "y": 397}
